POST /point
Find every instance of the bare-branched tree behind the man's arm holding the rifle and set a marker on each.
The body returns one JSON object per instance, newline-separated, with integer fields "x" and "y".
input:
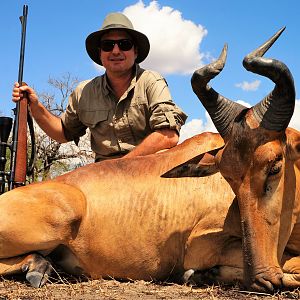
{"x": 53, "y": 158}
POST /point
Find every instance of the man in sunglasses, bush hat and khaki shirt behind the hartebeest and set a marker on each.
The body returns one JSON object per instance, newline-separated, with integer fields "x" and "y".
{"x": 128, "y": 110}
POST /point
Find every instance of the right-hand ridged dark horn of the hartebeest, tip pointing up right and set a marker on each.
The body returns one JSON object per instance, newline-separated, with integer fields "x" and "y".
{"x": 276, "y": 109}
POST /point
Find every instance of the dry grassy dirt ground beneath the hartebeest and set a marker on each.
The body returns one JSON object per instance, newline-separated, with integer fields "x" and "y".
{"x": 111, "y": 289}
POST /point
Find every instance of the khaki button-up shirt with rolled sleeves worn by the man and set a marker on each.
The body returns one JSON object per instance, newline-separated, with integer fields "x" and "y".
{"x": 118, "y": 125}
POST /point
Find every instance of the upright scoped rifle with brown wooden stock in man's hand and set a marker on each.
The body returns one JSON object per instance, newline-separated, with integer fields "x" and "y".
{"x": 18, "y": 147}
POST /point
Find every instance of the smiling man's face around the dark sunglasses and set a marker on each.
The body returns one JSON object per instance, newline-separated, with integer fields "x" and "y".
{"x": 117, "y": 61}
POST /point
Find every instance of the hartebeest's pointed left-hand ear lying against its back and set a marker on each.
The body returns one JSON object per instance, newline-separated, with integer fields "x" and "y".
{"x": 200, "y": 166}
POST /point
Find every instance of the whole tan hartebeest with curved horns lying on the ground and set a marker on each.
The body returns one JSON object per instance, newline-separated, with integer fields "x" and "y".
{"x": 126, "y": 219}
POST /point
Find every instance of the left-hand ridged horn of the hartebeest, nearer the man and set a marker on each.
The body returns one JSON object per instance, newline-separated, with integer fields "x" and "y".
{"x": 221, "y": 110}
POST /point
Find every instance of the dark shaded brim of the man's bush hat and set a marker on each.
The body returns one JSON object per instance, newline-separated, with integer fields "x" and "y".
{"x": 140, "y": 40}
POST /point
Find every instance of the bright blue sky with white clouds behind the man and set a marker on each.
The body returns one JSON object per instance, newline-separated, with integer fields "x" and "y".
{"x": 184, "y": 36}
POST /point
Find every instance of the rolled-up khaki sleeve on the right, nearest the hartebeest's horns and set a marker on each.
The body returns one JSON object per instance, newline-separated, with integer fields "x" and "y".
{"x": 164, "y": 113}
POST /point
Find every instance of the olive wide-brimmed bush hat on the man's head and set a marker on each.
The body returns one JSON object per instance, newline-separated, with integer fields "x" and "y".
{"x": 121, "y": 22}
